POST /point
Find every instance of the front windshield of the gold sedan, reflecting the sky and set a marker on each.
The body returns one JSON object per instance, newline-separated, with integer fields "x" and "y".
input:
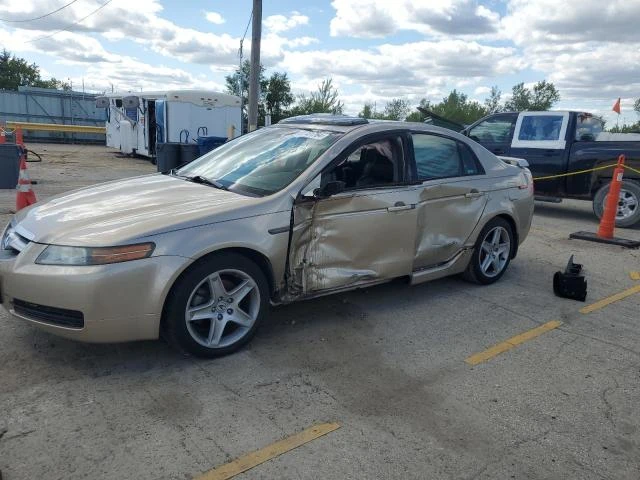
{"x": 262, "y": 162}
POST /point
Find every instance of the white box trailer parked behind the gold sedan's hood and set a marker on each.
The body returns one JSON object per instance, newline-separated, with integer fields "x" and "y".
{"x": 137, "y": 121}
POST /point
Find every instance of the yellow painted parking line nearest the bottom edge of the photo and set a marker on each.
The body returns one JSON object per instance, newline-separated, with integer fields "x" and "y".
{"x": 250, "y": 460}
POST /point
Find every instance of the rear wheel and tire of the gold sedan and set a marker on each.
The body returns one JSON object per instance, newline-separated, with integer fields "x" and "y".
{"x": 492, "y": 253}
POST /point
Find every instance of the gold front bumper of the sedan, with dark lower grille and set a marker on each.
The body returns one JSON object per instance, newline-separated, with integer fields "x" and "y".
{"x": 118, "y": 302}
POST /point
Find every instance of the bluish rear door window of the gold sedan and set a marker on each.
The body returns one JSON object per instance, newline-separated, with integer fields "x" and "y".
{"x": 439, "y": 157}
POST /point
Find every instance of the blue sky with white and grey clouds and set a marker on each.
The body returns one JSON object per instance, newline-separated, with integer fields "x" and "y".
{"x": 374, "y": 49}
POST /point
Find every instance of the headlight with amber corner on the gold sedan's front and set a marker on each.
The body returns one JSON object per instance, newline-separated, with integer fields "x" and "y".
{"x": 61, "y": 255}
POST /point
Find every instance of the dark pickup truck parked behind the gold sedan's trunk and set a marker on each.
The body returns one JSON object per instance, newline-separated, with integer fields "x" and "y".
{"x": 561, "y": 142}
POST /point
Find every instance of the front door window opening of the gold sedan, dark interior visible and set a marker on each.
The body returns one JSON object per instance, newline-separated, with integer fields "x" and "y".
{"x": 373, "y": 164}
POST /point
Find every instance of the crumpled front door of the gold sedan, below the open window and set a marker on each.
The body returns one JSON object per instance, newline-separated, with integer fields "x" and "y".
{"x": 353, "y": 238}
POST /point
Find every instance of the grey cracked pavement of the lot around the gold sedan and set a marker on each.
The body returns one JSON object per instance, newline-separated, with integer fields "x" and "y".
{"x": 387, "y": 363}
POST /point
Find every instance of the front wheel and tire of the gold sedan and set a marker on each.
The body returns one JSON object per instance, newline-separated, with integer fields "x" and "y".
{"x": 216, "y": 307}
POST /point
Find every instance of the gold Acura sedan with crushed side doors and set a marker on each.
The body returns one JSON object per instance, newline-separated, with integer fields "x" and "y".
{"x": 310, "y": 206}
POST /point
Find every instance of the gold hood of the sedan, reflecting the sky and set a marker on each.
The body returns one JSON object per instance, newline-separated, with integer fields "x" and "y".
{"x": 118, "y": 212}
